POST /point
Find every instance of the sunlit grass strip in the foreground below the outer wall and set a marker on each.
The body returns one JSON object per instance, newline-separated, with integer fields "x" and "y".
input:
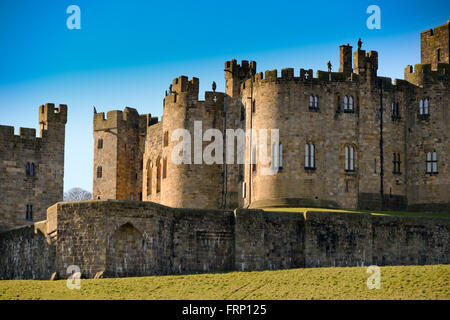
{"x": 398, "y": 282}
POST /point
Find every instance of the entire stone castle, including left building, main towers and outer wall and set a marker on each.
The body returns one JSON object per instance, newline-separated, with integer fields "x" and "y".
{"x": 337, "y": 148}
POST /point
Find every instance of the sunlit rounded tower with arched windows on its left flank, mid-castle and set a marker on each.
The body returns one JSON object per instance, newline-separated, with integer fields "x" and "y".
{"x": 192, "y": 183}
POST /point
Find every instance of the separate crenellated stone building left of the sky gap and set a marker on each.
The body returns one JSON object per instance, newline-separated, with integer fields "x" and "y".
{"x": 45, "y": 154}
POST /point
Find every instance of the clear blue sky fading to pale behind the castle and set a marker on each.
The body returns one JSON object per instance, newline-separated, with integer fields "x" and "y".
{"x": 128, "y": 52}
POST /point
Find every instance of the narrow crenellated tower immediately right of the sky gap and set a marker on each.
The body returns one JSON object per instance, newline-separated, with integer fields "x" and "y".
{"x": 118, "y": 152}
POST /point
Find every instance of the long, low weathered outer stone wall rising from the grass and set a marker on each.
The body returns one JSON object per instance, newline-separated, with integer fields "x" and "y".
{"x": 131, "y": 238}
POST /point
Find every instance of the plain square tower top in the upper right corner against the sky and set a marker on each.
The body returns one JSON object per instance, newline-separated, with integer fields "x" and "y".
{"x": 434, "y": 45}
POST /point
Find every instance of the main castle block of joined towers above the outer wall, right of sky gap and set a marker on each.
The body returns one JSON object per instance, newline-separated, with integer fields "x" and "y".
{"x": 337, "y": 147}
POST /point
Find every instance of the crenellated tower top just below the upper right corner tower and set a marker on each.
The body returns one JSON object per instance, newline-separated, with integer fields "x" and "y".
{"x": 422, "y": 74}
